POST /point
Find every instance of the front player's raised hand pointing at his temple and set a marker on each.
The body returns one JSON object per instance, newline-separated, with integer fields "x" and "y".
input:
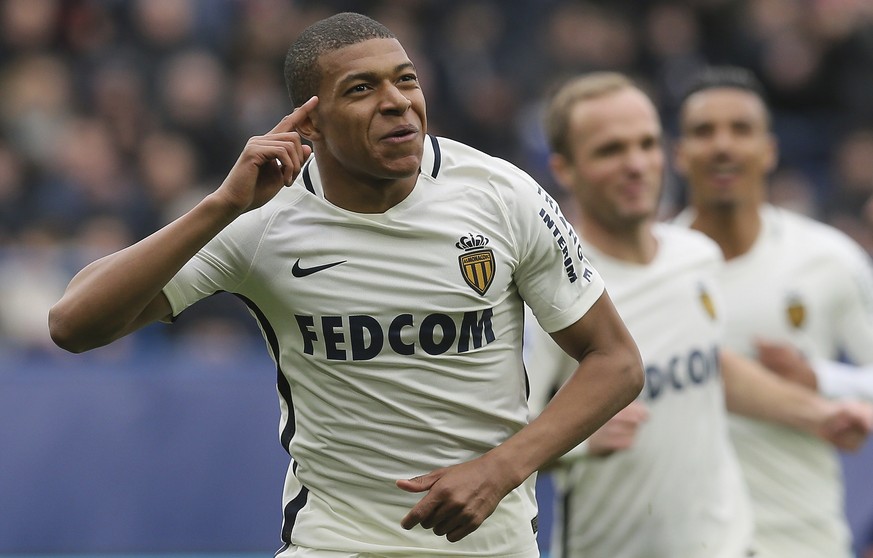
{"x": 268, "y": 162}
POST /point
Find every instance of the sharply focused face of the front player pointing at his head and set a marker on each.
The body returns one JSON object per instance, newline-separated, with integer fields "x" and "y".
{"x": 371, "y": 117}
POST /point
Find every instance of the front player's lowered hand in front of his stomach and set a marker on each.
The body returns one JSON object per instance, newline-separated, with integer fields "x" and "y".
{"x": 458, "y": 499}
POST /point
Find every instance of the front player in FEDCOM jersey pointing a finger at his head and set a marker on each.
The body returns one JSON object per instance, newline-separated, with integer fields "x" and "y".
{"x": 389, "y": 282}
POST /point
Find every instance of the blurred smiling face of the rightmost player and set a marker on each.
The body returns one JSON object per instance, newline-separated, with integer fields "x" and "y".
{"x": 725, "y": 150}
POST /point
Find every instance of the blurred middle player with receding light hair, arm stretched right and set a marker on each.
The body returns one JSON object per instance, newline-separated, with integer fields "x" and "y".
{"x": 661, "y": 478}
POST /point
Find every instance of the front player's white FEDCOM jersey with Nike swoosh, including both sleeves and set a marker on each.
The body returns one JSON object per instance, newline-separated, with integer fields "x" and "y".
{"x": 397, "y": 337}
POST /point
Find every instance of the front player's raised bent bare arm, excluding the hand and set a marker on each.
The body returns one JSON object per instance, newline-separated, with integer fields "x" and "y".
{"x": 106, "y": 299}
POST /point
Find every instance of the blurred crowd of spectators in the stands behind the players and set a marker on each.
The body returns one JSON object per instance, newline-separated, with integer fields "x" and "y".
{"x": 117, "y": 115}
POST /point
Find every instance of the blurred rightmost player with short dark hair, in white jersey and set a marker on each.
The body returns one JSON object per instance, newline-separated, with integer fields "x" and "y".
{"x": 788, "y": 279}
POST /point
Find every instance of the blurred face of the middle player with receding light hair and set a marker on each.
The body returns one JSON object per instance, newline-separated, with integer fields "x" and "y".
{"x": 617, "y": 161}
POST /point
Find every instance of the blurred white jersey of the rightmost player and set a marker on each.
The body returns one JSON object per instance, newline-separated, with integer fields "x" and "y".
{"x": 809, "y": 285}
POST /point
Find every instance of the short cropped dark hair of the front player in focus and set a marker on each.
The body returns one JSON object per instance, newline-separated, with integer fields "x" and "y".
{"x": 302, "y": 75}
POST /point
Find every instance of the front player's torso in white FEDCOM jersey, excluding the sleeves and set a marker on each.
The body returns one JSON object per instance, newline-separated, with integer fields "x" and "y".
{"x": 400, "y": 338}
